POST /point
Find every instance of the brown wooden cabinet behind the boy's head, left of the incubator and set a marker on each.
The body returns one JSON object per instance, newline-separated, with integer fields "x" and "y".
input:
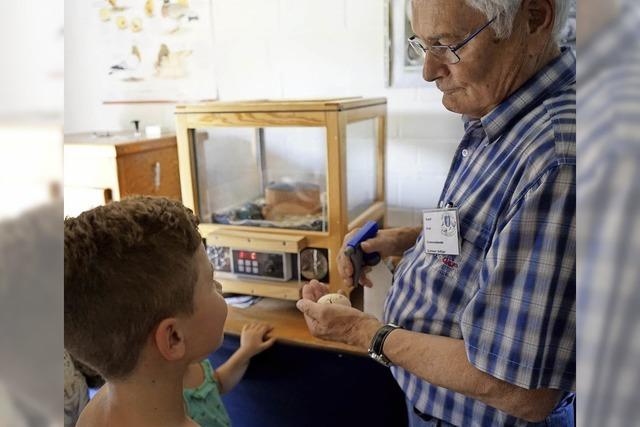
{"x": 100, "y": 169}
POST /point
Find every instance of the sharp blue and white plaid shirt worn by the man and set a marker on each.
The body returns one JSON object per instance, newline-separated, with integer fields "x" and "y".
{"x": 510, "y": 294}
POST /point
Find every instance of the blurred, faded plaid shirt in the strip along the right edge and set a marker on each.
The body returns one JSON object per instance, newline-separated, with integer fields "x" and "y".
{"x": 609, "y": 223}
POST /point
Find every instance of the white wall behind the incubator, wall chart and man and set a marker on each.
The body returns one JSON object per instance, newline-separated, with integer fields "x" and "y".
{"x": 290, "y": 49}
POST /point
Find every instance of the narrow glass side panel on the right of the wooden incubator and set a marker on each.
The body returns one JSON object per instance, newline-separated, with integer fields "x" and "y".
{"x": 362, "y": 144}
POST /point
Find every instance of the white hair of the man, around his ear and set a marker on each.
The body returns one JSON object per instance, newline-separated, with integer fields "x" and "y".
{"x": 506, "y": 10}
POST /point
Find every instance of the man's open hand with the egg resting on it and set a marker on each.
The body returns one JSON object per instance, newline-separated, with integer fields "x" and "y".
{"x": 335, "y": 322}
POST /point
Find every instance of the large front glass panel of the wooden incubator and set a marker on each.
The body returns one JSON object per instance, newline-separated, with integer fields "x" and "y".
{"x": 262, "y": 177}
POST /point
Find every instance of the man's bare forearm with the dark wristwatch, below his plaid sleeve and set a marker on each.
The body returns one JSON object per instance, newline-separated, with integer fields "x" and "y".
{"x": 442, "y": 361}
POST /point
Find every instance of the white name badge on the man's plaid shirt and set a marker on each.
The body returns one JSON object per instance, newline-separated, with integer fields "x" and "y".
{"x": 441, "y": 233}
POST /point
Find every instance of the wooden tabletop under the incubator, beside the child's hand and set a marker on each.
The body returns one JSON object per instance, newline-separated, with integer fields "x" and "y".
{"x": 288, "y": 324}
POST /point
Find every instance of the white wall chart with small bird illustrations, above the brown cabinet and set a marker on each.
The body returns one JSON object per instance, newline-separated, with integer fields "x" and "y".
{"x": 156, "y": 50}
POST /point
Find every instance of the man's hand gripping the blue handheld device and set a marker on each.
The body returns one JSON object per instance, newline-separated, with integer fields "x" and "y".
{"x": 390, "y": 242}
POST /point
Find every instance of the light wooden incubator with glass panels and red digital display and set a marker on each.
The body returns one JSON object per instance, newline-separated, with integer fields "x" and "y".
{"x": 278, "y": 184}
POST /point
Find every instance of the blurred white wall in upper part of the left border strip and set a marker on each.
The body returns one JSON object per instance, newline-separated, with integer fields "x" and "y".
{"x": 31, "y": 104}
